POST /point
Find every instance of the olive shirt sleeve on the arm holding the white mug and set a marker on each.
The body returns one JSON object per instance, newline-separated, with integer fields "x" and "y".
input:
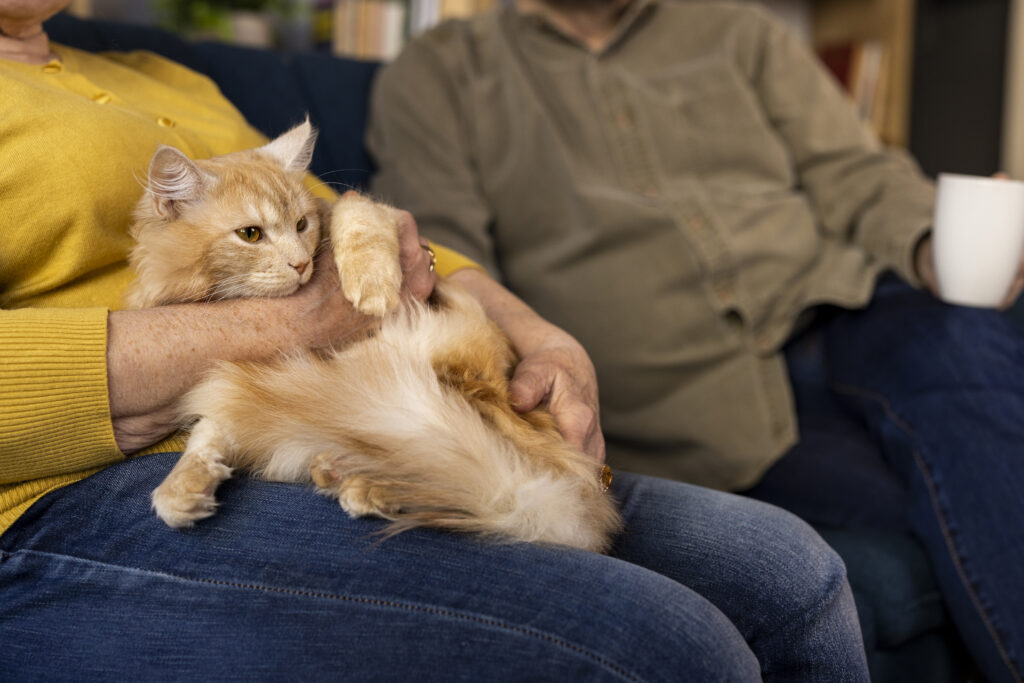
{"x": 863, "y": 192}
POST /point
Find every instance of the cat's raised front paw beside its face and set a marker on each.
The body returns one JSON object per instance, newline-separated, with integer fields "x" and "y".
{"x": 365, "y": 236}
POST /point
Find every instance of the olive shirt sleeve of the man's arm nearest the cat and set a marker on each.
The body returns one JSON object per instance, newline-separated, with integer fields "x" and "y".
{"x": 419, "y": 138}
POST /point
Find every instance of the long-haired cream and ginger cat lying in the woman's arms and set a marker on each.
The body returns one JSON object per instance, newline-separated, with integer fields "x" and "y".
{"x": 412, "y": 424}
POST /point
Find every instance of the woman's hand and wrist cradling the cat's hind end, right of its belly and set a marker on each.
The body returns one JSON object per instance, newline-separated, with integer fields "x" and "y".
{"x": 554, "y": 368}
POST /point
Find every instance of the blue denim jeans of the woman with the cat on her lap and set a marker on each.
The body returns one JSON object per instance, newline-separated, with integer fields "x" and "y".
{"x": 281, "y": 584}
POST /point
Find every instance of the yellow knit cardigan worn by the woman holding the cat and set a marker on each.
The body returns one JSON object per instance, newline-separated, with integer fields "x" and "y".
{"x": 76, "y": 139}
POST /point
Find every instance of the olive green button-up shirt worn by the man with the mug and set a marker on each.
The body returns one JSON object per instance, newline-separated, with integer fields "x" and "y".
{"x": 675, "y": 201}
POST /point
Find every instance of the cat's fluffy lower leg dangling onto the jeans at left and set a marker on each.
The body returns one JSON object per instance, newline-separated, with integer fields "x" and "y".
{"x": 188, "y": 494}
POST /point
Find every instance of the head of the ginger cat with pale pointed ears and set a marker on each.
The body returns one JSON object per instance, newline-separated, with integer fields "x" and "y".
{"x": 237, "y": 226}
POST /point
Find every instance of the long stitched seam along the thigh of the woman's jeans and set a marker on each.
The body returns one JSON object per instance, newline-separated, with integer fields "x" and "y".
{"x": 362, "y": 601}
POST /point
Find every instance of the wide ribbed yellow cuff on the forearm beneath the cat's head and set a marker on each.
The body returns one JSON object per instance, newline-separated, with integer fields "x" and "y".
{"x": 55, "y": 411}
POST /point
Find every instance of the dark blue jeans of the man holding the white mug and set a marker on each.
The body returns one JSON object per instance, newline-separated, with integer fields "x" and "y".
{"x": 940, "y": 390}
